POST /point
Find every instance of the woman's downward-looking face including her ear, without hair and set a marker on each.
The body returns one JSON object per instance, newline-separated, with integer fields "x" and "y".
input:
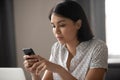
{"x": 64, "y": 29}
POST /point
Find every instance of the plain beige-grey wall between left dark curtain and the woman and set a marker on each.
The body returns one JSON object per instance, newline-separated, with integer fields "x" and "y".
{"x": 33, "y": 27}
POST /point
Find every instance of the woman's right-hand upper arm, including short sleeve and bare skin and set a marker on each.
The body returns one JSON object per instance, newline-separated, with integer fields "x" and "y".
{"x": 98, "y": 63}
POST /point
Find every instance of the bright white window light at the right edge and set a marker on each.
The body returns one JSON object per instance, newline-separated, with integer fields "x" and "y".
{"x": 112, "y": 8}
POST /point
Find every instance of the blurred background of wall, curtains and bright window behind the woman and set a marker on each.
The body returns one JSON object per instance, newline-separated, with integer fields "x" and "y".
{"x": 25, "y": 24}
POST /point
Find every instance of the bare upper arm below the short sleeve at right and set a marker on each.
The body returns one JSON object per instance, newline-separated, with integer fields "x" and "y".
{"x": 96, "y": 74}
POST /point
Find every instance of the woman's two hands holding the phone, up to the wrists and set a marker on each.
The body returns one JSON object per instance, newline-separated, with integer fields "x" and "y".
{"x": 36, "y": 64}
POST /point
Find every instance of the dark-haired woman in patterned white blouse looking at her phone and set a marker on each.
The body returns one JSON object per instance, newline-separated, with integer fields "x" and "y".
{"x": 76, "y": 55}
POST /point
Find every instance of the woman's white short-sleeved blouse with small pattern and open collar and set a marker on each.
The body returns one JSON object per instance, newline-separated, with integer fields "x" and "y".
{"x": 89, "y": 54}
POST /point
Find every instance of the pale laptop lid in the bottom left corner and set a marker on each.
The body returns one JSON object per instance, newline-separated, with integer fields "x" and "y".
{"x": 12, "y": 74}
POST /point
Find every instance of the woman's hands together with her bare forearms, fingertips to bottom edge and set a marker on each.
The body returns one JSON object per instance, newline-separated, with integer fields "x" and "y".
{"x": 35, "y": 64}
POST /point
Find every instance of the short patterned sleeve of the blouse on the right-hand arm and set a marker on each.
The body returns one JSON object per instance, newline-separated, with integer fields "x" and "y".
{"x": 99, "y": 56}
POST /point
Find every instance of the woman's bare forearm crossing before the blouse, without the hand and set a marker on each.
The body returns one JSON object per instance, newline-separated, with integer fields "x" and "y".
{"x": 65, "y": 74}
